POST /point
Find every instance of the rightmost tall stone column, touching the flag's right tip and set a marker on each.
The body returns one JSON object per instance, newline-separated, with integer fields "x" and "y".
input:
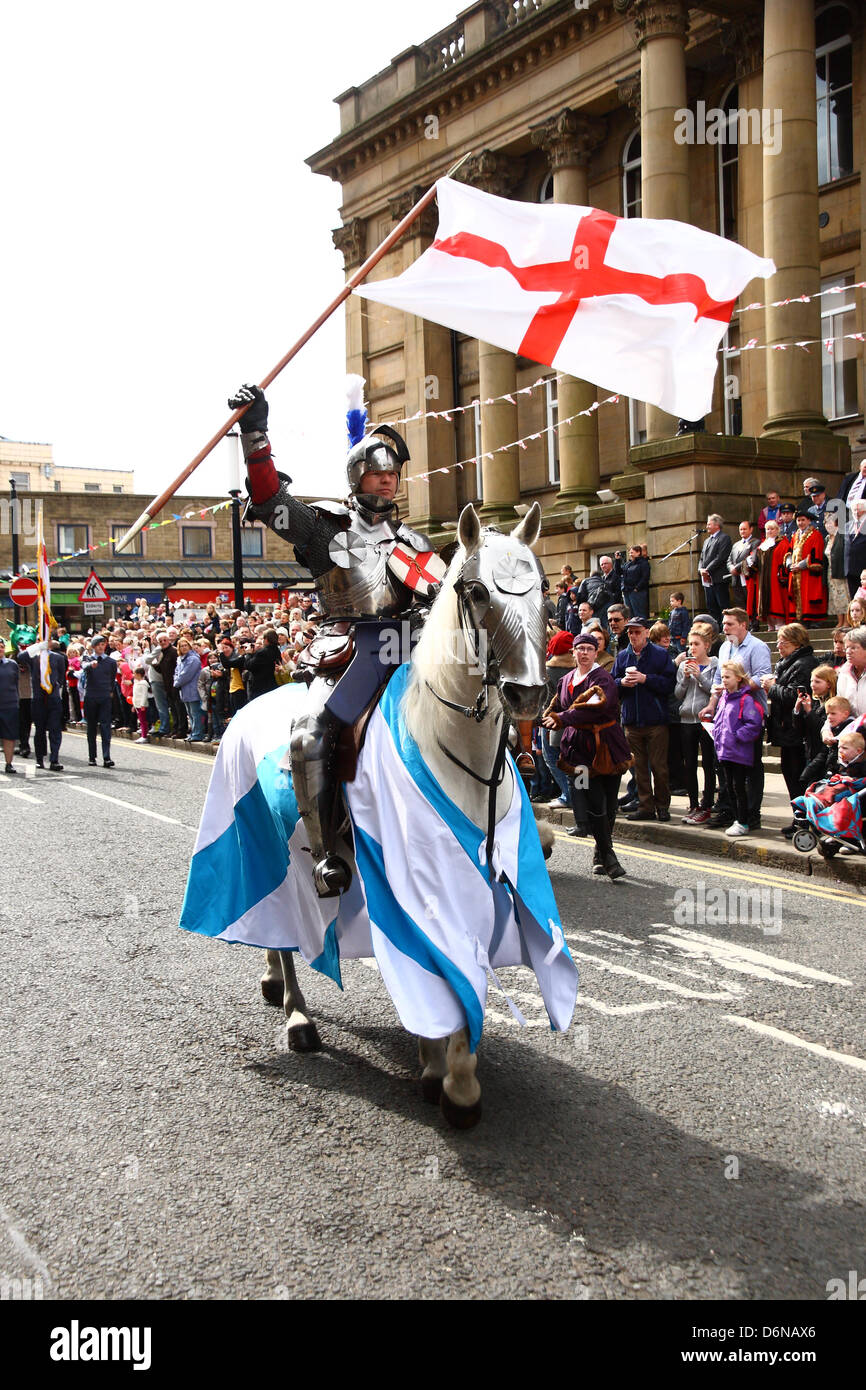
{"x": 790, "y": 215}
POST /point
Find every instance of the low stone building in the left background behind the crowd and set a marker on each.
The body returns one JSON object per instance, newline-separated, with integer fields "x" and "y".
{"x": 188, "y": 561}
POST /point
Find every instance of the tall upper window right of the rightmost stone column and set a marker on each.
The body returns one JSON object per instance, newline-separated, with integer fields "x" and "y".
{"x": 833, "y": 62}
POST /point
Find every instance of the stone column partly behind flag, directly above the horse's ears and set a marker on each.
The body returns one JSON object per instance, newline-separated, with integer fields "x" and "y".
{"x": 497, "y": 372}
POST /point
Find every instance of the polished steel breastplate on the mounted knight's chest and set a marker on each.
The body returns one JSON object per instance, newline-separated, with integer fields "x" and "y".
{"x": 359, "y": 583}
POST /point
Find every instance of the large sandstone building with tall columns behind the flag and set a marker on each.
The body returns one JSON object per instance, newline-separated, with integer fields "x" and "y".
{"x": 643, "y": 108}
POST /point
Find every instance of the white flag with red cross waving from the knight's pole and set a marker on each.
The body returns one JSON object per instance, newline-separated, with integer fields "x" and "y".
{"x": 637, "y": 306}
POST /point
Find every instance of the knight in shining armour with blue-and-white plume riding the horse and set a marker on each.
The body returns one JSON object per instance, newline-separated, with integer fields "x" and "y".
{"x": 373, "y": 576}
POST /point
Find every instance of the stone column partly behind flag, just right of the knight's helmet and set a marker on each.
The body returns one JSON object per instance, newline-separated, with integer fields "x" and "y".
{"x": 429, "y": 389}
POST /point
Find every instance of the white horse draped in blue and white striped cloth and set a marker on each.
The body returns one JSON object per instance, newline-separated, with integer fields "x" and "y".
{"x": 451, "y": 882}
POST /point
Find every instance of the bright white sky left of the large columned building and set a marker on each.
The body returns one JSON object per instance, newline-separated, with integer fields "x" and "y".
{"x": 162, "y": 238}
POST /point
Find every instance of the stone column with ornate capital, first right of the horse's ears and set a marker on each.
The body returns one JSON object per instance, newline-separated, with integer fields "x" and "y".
{"x": 569, "y": 141}
